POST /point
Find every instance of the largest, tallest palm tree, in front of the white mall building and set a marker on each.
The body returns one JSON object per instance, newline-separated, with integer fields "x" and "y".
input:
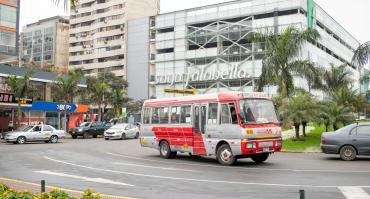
{"x": 279, "y": 64}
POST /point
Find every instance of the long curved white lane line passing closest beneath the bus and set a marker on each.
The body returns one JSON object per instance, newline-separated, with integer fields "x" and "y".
{"x": 237, "y": 167}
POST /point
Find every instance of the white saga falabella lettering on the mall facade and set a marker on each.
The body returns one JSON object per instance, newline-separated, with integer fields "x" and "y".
{"x": 233, "y": 73}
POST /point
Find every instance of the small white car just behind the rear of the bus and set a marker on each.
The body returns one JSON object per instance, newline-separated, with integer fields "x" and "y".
{"x": 122, "y": 131}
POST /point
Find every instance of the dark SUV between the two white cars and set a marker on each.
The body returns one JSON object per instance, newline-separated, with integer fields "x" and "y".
{"x": 87, "y": 129}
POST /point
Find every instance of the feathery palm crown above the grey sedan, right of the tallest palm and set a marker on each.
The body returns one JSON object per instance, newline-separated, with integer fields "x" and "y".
{"x": 336, "y": 78}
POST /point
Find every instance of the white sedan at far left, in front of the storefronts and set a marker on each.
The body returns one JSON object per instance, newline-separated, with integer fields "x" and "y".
{"x": 33, "y": 133}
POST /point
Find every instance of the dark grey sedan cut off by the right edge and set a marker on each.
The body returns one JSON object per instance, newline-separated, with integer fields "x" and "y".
{"x": 348, "y": 142}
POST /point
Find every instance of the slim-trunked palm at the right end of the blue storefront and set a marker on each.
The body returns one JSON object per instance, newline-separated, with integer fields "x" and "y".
{"x": 66, "y": 88}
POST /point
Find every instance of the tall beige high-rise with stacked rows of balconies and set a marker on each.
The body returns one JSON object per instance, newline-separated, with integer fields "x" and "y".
{"x": 98, "y": 35}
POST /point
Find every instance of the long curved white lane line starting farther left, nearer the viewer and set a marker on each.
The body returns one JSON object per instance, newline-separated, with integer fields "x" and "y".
{"x": 191, "y": 179}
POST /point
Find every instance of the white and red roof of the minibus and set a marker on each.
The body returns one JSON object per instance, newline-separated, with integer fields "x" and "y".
{"x": 213, "y": 97}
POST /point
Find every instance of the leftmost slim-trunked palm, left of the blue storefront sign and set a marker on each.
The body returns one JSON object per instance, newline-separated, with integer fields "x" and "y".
{"x": 21, "y": 88}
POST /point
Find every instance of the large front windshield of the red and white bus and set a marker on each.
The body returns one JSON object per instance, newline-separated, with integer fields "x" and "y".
{"x": 257, "y": 111}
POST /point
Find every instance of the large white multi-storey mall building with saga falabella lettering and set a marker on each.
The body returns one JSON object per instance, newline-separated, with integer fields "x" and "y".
{"x": 210, "y": 48}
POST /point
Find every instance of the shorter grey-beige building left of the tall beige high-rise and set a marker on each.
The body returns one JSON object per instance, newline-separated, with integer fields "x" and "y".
{"x": 45, "y": 44}
